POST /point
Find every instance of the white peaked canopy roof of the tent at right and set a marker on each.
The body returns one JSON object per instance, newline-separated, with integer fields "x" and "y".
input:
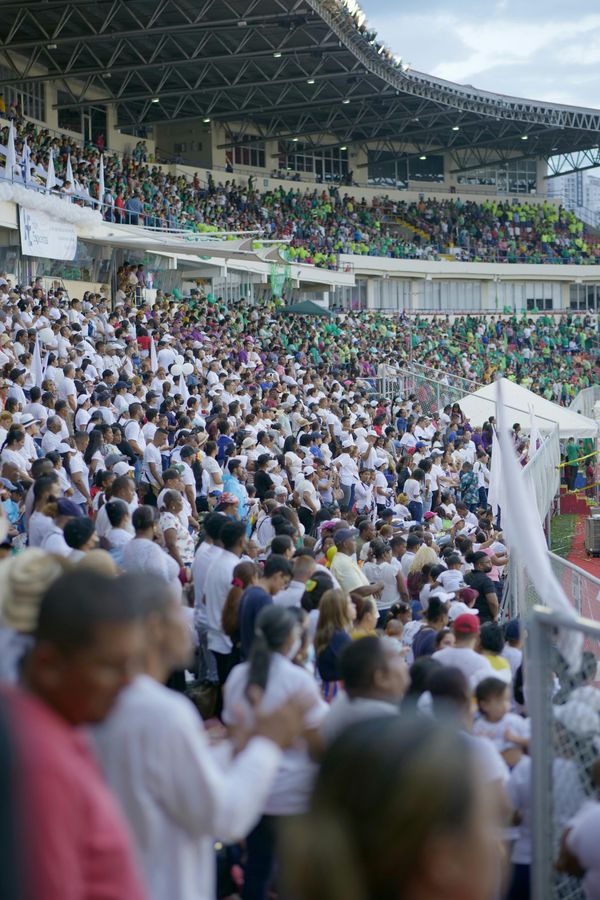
{"x": 478, "y": 407}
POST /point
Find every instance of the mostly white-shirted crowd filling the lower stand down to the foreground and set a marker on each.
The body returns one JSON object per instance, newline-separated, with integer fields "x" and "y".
{"x": 217, "y": 502}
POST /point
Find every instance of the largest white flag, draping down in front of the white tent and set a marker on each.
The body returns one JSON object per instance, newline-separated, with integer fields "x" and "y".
{"x": 524, "y": 536}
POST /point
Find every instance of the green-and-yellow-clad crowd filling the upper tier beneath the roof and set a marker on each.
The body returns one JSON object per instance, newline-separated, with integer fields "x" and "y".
{"x": 319, "y": 225}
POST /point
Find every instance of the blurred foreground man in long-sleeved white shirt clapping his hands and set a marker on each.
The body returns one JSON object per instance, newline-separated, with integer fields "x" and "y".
{"x": 177, "y": 793}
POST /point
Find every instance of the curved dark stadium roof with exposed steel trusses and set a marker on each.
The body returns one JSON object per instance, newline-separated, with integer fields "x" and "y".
{"x": 291, "y": 68}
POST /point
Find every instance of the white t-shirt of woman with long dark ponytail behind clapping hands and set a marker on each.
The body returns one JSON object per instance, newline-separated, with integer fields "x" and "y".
{"x": 291, "y": 790}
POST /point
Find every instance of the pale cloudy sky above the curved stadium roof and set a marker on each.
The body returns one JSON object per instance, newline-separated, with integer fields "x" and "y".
{"x": 541, "y": 49}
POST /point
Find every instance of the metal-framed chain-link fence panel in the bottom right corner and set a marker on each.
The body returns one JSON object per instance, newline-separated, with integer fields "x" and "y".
{"x": 562, "y": 776}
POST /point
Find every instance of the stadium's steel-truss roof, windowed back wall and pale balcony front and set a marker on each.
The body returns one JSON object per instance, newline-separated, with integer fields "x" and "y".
{"x": 305, "y": 95}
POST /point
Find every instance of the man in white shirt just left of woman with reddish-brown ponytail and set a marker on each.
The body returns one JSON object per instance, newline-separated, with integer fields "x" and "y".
{"x": 216, "y": 587}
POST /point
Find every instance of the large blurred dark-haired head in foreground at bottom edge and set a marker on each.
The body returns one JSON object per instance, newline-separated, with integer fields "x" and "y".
{"x": 414, "y": 826}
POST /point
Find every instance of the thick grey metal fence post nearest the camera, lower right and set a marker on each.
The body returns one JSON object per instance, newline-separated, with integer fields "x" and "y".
{"x": 538, "y": 673}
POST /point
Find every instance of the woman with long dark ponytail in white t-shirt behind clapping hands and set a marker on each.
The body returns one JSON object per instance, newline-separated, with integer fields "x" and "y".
{"x": 269, "y": 679}
